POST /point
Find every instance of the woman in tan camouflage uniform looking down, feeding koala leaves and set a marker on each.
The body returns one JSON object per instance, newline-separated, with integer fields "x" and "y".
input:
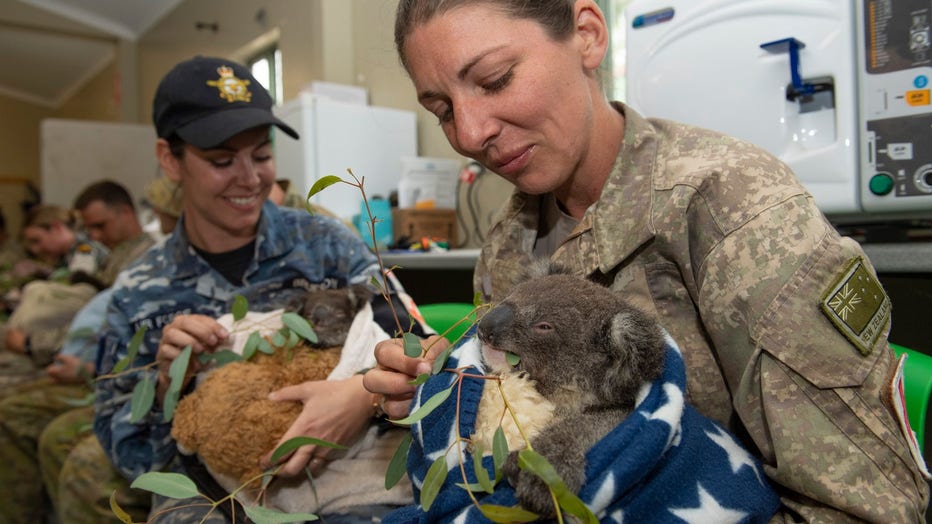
{"x": 713, "y": 235}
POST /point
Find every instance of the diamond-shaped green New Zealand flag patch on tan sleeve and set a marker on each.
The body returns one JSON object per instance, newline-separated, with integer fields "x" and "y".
{"x": 857, "y": 306}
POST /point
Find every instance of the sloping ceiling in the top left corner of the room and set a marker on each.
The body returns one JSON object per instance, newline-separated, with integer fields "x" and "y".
{"x": 51, "y": 48}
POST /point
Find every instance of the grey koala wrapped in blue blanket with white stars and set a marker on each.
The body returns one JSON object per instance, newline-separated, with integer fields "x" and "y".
{"x": 589, "y": 352}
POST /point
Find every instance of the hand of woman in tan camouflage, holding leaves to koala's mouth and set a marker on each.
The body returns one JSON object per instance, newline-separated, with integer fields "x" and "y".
{"x": 391, "y": 379}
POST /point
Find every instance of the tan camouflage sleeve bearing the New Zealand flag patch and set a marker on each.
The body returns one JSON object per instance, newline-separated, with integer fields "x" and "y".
{"x": 809, "y": 366}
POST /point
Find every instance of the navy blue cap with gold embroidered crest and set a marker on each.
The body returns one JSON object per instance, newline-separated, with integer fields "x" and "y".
{"x": 206, "y": 101}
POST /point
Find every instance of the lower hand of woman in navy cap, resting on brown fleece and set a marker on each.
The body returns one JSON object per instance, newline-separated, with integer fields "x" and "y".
{"x": 337, "y": 411}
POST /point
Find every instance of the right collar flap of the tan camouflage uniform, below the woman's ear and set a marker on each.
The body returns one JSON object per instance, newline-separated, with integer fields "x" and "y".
{"x": 621, "y": 219}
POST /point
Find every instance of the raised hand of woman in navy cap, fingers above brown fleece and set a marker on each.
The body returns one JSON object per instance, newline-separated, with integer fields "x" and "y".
{"x": 204, "y": 334}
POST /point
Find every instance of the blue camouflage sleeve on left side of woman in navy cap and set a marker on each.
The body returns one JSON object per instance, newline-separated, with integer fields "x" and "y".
{"x": 133, "y": 447}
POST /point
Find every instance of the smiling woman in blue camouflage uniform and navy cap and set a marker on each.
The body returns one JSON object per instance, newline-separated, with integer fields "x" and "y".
{"x": 213, "y": 121}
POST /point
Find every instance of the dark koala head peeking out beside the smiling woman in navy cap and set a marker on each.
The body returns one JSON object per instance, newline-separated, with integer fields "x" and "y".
{"x": 331, "y": 312}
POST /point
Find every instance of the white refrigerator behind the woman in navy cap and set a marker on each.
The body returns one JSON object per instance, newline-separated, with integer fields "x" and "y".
{"x": 336, "y": 136}
